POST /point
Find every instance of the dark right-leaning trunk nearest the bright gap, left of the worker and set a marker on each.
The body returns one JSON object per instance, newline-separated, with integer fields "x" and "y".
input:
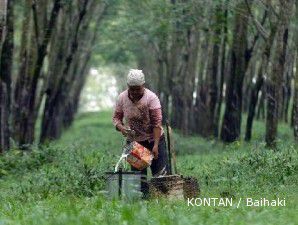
{"x": 60, "y": 96}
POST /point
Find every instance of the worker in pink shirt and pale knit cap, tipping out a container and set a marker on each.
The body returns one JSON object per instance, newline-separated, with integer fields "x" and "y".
{"x": 141, "y": 110}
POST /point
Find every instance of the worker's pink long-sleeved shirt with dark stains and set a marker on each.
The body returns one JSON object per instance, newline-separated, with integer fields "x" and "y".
{"x": 141, "y": 116}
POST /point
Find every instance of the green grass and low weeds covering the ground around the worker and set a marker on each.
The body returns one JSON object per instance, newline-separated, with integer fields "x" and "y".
{"x": 60, "y": 183}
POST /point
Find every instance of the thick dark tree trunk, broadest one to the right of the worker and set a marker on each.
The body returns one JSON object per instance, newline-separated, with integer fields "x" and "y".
{"x": 230, "y": 130}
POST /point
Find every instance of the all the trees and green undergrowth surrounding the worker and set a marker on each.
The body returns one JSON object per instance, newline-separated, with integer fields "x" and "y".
{"x": 225, "y": 72}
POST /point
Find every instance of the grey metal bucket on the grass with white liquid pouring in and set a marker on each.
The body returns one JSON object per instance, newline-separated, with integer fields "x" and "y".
{"x": 124, "y": 185}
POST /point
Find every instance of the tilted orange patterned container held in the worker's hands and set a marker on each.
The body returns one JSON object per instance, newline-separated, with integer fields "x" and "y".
{"x": 138, "y": 156}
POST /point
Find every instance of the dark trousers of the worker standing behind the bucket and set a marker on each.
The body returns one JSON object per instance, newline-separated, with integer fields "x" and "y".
{"x": 159, "y": 166}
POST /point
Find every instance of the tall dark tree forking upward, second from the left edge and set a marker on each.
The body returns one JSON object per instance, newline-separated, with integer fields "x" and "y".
{"x": 35, "y": 39}
